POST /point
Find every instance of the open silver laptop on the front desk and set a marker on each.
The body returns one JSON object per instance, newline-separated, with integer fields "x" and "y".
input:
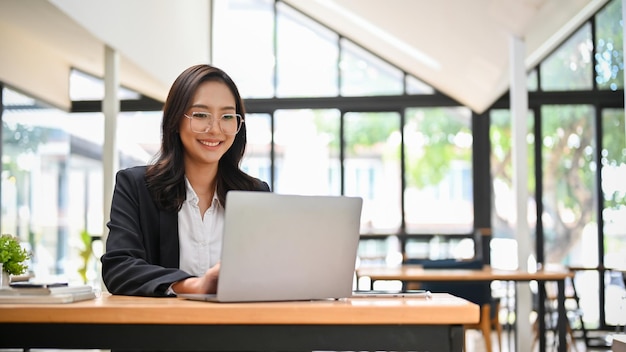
{"x": 280, "y": 247}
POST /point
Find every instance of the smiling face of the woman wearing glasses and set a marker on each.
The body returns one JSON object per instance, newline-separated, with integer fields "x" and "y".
{"x": 207, "y": 147}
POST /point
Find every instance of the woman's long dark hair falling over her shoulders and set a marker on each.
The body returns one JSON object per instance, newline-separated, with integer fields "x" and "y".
{"x": 165, "y": 177}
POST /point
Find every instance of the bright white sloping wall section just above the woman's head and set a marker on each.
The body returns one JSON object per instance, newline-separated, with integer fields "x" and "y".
{"x": 163, "y": 37}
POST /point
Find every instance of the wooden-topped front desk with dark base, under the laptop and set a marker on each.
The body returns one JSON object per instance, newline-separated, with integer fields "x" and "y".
{"x": 120, "y": 322}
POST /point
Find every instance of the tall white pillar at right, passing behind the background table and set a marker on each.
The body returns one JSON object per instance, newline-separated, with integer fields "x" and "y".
{"x": 519, "y": 130}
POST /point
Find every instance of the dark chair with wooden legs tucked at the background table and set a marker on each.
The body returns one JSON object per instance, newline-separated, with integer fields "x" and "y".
{"x": 476, "y": 292}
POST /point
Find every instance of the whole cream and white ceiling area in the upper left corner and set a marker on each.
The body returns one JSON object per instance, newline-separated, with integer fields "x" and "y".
{"x": 42, "y": 40}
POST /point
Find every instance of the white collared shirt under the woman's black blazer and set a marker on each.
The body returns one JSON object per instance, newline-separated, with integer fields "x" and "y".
{"x": 199, "y": 237}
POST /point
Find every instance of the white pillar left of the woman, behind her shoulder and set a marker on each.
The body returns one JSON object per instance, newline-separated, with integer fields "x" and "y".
{"x": 110, "y": 108}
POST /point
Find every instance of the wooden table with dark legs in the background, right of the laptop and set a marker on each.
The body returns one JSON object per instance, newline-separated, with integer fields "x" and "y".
{"x": 415, "y": 273}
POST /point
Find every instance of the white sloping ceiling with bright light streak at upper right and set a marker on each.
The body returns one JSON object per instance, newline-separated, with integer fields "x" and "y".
{"x": 459, "y": 47}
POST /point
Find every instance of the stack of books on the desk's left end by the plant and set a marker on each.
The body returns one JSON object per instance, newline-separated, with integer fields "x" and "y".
{"x": 30, "y": 292}
